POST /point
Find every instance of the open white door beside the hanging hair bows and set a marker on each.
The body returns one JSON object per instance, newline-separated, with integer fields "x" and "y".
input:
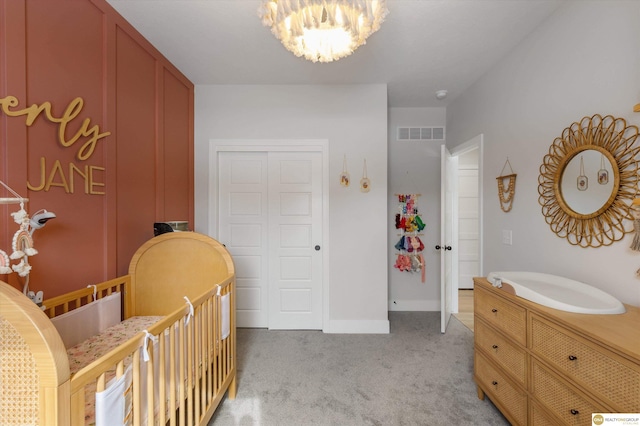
{"x": 448, "y": 224}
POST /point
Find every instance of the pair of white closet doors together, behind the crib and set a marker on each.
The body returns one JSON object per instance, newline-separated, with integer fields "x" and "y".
{"x": 269, "y": 213}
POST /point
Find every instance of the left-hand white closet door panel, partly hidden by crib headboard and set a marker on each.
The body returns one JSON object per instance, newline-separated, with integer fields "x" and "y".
{"x": 243, "y": 229}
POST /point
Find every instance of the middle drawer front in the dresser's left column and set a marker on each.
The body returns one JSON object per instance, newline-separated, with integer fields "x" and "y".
{"x": 502, "y": 351}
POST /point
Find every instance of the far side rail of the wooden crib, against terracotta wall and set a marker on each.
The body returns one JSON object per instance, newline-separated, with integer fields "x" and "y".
{"x": 69, "y": 301}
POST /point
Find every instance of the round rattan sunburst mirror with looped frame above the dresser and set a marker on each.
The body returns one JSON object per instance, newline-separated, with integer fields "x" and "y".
{"x": 566, "y": 193}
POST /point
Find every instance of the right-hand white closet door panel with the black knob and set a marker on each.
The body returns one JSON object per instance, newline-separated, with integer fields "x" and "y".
{"x": 295, "y": 240}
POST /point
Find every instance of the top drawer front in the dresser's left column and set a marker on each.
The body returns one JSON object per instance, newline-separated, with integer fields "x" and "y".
{"x": 502, "y": 314}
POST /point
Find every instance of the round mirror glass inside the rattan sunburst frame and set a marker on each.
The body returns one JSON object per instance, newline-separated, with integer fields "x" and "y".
{"x": 587, "y": 182}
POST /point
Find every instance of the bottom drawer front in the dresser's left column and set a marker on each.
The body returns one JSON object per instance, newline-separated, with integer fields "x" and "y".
{"x": 500, "y": 390}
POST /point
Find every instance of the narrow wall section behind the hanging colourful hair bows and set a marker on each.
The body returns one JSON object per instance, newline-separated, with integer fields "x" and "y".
{"x": 414, "y": 168}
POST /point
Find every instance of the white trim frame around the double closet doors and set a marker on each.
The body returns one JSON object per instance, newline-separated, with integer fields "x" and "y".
{"x": 275, "y": 145}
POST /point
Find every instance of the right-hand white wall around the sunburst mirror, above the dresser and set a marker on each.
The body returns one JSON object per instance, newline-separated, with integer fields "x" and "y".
{"x": 584, "y": 60}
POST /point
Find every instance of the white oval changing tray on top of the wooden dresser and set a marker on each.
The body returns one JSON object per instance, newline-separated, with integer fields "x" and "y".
{"x": 558, "y": 292}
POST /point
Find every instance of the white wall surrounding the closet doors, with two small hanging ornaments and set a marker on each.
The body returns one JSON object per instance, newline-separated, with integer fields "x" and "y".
{"x": 354, "y": 120}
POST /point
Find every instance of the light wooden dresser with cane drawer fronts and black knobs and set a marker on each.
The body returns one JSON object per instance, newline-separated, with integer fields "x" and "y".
{"x": 542, "y": 366}
